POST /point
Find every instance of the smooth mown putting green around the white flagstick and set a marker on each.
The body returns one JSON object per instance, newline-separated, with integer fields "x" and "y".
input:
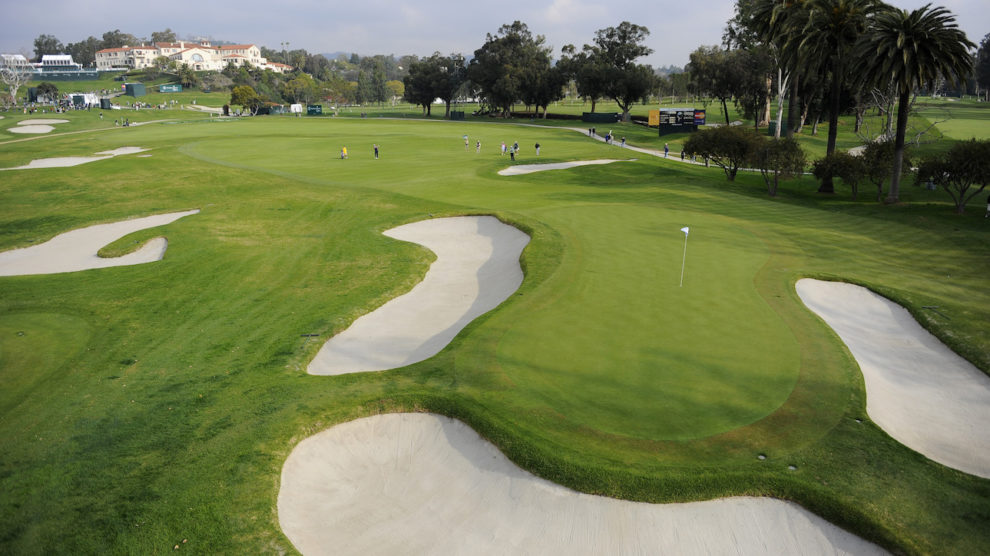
{"x": 637, "y": 355}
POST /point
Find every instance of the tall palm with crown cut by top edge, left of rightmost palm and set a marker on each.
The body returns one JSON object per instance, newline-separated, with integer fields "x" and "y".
{"x": 825, "y": 43}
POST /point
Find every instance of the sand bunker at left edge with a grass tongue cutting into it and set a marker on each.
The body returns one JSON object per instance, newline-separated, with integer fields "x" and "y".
{"x": 76, "y": 250}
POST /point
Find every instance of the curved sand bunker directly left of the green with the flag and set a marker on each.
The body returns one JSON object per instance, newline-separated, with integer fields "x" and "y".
{"x": 477, "y": 267}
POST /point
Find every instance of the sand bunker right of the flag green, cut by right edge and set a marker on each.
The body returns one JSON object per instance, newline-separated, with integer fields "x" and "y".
{"x": 917, "y": 389}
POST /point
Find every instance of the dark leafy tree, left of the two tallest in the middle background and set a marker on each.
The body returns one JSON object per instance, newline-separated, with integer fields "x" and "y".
{"x": 500, "y": 65}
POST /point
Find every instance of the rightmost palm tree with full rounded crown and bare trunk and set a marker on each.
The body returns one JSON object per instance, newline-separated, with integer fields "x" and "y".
{"x": 913, "y": 49}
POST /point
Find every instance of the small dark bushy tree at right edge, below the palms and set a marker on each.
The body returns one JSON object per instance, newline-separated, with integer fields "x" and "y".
{"x": 959, "y": 171}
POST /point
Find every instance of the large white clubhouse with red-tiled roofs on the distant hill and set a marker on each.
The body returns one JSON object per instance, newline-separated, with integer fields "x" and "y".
{"x": 200, "y": 56}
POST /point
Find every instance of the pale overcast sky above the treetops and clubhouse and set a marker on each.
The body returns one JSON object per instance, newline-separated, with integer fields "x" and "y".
{"x": 677, "y": 27}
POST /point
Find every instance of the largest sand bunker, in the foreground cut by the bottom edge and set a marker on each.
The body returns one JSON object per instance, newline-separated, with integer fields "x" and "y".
{"x": 425, "y": 484}
